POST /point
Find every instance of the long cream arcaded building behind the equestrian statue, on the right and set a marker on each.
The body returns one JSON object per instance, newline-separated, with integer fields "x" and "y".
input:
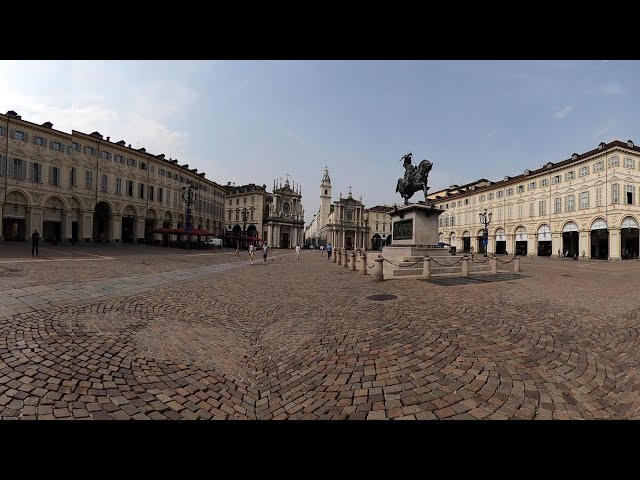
{"x": 587, "y": 206}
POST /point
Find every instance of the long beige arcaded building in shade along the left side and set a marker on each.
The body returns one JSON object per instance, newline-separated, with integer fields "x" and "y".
{"x": 84, "y": 187}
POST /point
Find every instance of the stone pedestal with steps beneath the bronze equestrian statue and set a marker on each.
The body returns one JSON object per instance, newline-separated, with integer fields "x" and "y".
{"x": 414, "y": 235}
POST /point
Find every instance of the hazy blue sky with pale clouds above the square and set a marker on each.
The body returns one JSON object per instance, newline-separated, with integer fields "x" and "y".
{"x": 256, "y": 121}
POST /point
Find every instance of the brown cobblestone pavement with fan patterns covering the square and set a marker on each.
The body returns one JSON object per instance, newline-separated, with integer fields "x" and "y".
{"x": 202, "y": 335}
